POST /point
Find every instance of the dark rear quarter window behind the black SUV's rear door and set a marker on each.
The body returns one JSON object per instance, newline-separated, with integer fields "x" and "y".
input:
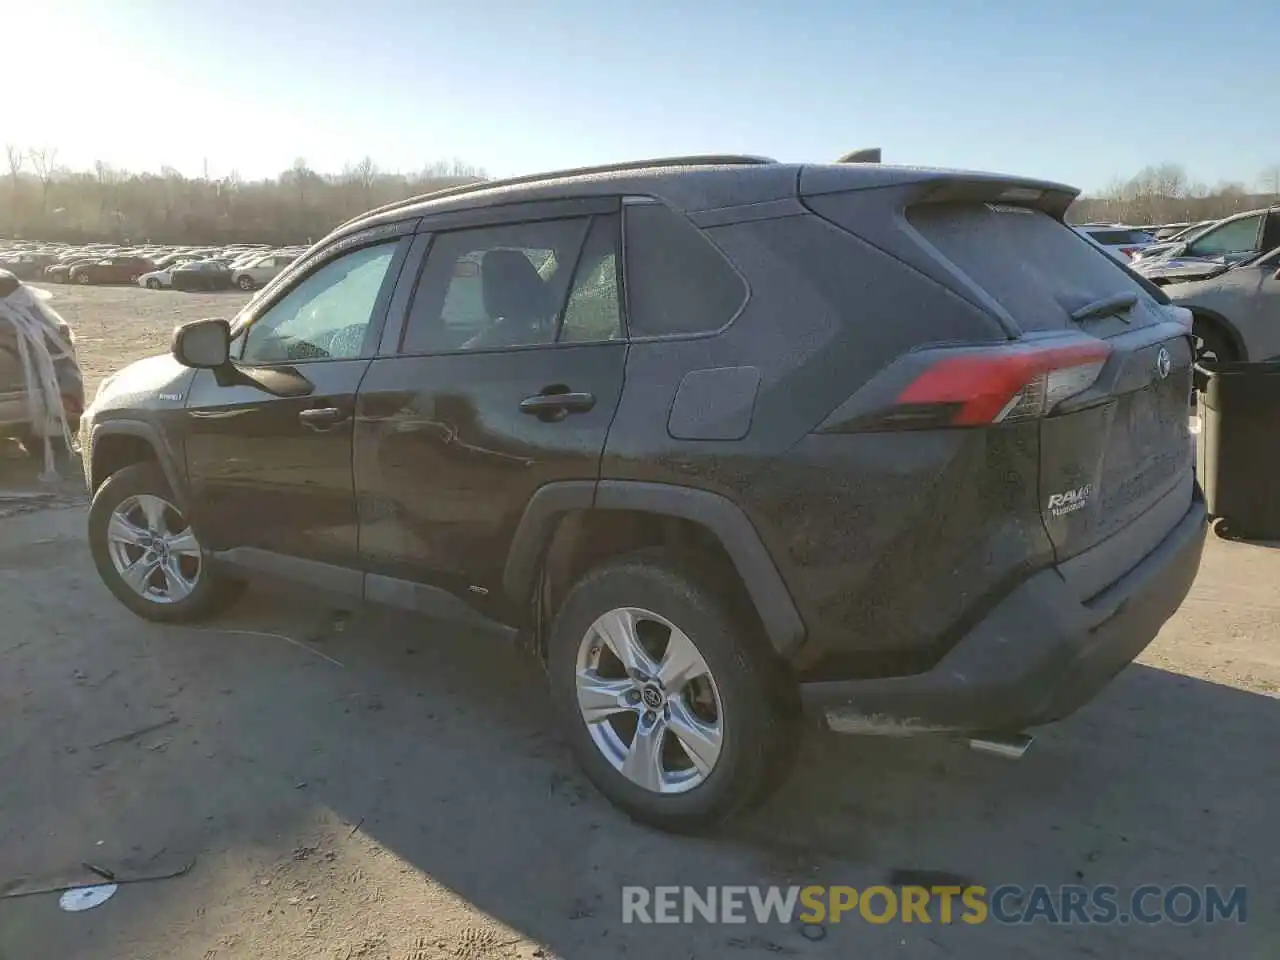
{"x": 678, "y": 281}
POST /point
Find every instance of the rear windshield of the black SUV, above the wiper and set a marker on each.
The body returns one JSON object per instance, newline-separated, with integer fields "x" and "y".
{"x": 1031, "y": 264}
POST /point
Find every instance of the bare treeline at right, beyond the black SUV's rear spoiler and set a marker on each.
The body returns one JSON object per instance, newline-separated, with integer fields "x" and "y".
{"x": 1164, "y": 194}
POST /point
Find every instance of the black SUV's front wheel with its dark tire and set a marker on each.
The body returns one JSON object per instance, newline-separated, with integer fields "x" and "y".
{"x": 203, "y": 592}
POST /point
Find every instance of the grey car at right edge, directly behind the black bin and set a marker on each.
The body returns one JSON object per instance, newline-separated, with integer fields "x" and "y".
{"x": 1237, "y": 313}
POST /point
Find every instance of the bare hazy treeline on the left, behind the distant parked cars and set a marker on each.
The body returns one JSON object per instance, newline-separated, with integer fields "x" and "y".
{"x": 40, "y": 200}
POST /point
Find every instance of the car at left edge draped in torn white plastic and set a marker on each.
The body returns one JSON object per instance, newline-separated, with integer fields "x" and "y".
{"x": 15, "y": 412}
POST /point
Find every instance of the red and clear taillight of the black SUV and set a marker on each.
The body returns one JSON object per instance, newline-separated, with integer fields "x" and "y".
{"x": 999, "y": 386}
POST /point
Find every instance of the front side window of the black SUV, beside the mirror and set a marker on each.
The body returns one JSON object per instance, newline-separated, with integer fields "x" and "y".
{"x": 327, "y": 316}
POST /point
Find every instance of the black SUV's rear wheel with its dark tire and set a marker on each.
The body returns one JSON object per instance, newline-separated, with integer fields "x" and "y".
{"x": 749, "y": 700}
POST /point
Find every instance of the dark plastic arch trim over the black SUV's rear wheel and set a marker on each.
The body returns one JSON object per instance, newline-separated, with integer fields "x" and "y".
{"x": 720, "y": 518}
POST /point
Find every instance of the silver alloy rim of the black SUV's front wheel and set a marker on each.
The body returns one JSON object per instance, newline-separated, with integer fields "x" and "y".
{"x": 153, "y": 550}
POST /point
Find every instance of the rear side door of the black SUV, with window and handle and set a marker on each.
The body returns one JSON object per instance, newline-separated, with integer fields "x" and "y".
{"x": 504, "y": 378}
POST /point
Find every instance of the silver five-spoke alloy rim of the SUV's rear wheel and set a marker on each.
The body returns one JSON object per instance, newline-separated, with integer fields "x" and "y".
{"x": 650, "y": 701}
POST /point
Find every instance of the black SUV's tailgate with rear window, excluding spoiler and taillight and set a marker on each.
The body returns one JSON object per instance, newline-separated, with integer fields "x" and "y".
{"x": 1122, "y": 449}
